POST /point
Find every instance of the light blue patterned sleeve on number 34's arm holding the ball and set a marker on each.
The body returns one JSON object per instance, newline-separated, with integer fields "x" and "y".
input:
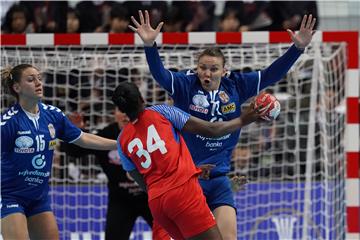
{"x": 176, "y": 116}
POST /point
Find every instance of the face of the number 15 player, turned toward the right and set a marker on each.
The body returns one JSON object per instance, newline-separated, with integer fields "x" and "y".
{"x": 30, "y": 85}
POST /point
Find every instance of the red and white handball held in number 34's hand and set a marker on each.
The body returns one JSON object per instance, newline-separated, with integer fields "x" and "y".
{"x": 269, "y": 106}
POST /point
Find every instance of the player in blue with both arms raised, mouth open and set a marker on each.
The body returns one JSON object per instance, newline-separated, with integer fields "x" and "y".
{"x": 214, "y": 94}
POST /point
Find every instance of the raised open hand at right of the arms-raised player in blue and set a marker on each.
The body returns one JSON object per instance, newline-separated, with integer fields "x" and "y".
{"x": 303, "y": 37}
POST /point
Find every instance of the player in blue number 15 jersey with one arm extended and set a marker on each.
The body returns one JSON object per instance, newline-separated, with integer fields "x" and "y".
{"x": 29, "y": 130}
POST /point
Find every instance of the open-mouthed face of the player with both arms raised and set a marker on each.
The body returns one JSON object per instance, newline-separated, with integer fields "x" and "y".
{"x": 210, "y": 70}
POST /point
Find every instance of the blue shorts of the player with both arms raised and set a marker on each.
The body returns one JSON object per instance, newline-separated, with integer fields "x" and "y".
{"x": 218, "y": 192}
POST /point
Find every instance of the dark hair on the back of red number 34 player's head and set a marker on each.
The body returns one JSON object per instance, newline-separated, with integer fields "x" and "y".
{"x": 128, "y": 99}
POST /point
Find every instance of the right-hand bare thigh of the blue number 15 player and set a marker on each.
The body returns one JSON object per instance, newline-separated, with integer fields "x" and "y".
{"x": 43, "y": 226}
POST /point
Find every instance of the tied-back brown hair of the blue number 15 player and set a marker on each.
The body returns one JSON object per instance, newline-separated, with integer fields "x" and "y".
{"x": 10, "y": 76}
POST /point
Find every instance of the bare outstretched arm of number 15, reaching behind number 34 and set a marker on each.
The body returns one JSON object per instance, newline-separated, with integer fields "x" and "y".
{"x": 91, "y": 141}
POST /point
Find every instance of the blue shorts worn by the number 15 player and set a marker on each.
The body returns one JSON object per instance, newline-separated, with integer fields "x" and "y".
{"x": 10, "y": 205}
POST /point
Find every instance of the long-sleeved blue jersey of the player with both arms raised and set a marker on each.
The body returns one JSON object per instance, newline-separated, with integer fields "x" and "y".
{"x": 219, "y": 105}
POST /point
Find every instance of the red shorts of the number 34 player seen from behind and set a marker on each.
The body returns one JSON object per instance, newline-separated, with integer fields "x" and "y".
{"x": 183, "y": 211}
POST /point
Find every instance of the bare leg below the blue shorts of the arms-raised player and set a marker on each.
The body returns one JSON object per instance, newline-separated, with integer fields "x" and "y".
{"x": 226, "y": 220}
